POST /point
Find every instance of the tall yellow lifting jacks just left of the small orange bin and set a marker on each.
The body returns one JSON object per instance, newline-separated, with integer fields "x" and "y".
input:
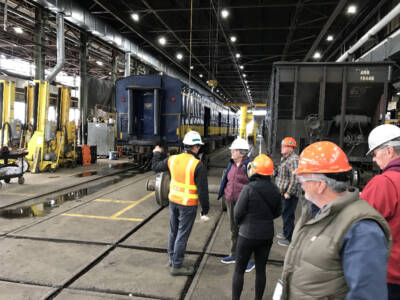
{"x": 53, "y": 144}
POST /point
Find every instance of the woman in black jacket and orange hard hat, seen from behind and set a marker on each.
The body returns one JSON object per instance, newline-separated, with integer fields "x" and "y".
{"x": 258, "y": 205}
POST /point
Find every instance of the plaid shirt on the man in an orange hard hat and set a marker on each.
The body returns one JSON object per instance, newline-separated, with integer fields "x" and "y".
{"x": 286, "y": 179}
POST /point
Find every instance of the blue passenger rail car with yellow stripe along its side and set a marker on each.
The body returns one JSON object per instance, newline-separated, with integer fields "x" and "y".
{"x": 158, "y": 109}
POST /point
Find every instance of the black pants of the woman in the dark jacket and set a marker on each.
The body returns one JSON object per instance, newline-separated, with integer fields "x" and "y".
{"x": 245, "y": 247}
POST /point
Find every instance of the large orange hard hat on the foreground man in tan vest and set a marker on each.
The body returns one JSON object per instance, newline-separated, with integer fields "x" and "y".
{"x": 323, "y": 157}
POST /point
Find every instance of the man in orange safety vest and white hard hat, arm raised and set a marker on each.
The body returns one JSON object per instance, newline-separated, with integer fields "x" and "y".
{"x": 188, "y": 187}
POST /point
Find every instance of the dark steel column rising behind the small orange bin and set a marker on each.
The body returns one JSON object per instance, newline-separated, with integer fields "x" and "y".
{"x": 83, "y": 100}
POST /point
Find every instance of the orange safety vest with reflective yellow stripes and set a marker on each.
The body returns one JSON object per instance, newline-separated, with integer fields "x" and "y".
{"x": 182, "y": 189}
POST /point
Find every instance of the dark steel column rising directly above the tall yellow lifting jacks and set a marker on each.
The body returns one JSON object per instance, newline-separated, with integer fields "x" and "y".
{"x": 41, "y": 17}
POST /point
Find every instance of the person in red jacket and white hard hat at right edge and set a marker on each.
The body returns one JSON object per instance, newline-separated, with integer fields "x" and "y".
{"x": 383, "y": 193}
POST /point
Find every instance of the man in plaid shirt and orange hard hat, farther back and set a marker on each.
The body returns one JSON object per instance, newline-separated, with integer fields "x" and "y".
{"x": 288, "y": 187}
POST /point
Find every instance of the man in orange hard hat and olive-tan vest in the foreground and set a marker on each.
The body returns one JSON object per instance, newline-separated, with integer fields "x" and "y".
{"x": 342, "y": 252}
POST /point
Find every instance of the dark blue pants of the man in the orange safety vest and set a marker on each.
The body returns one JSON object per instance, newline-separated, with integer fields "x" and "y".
{"x": 181, "y": 223}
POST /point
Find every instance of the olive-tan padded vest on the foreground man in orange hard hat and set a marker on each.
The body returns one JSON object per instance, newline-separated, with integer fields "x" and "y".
{"x": 313, "y": 266}
